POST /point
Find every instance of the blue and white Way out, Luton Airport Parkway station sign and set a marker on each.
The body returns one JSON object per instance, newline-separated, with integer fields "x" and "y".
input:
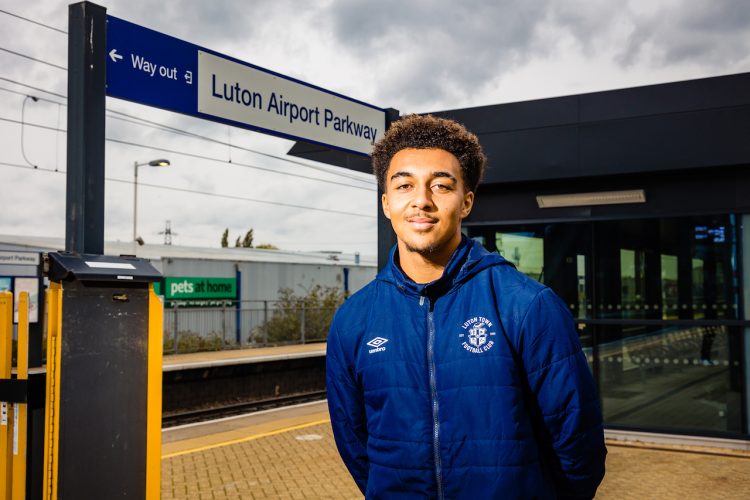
{"x": 158, "y": 70}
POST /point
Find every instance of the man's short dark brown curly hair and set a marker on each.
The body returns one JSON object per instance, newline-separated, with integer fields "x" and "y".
{"x": 430, "y": 132}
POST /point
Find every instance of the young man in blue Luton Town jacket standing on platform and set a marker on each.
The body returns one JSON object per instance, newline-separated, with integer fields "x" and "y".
{"x": 453, "y": 375}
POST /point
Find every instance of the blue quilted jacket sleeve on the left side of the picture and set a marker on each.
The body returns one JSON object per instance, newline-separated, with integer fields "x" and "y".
{"x": 347, "y": 410}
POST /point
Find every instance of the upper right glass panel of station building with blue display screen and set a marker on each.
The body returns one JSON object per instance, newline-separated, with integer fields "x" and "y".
{"x": 676, "y": 268}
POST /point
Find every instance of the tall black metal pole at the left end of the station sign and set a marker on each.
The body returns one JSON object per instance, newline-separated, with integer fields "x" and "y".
{"x": 84, "y": 204}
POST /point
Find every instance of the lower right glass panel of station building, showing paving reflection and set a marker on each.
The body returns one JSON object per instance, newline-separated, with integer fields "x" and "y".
{"x": 677, "y": 378}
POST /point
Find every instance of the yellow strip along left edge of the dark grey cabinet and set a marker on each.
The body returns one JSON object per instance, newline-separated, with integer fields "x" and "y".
{"x": 52, "y": 404}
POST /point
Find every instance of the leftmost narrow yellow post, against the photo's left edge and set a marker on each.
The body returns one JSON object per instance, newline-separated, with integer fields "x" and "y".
{"x": 6, "y": 338}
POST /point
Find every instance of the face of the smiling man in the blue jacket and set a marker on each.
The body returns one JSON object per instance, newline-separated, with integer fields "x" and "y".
{"x": 426, "y": 198}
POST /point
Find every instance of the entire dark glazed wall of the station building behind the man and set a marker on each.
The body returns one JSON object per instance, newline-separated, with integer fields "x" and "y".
{"x": 674, "y": 376}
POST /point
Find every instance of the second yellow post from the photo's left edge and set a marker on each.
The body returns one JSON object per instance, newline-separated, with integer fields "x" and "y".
{"x": 20, "y": 409}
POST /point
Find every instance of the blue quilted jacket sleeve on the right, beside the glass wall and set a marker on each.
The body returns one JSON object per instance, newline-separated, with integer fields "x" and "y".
{"x": 563, "y": 396}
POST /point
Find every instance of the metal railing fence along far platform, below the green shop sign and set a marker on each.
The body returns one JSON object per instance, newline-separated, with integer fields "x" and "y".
{"x": 263, "y": 324}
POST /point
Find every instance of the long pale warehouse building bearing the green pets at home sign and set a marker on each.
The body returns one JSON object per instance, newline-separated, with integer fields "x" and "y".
{"x": 225, "y": 294}
